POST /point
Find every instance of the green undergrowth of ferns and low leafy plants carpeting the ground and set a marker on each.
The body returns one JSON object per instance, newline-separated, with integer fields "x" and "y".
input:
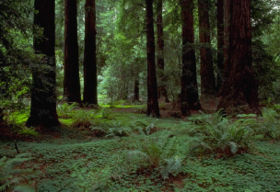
{"x": 103, "y": 150}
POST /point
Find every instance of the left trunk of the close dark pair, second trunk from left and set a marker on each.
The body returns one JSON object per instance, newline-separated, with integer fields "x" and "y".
{"x": 72, "y": 91}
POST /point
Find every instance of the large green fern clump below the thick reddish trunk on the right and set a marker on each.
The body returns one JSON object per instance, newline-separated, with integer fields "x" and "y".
{"x": 215, "y": 133}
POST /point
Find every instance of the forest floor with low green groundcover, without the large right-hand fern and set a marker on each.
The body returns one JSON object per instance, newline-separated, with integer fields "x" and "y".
{"x": 113, "y": 149}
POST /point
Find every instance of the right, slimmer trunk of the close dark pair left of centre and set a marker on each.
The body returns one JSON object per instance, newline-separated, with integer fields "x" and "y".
{"x": 90, "y": 68}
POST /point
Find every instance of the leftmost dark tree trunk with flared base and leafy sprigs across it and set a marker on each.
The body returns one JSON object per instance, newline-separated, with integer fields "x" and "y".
{"x": 43, "y": 97}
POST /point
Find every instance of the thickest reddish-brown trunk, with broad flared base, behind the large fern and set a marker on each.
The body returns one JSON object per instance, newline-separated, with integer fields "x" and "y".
{"x": 240, "y": 87}
